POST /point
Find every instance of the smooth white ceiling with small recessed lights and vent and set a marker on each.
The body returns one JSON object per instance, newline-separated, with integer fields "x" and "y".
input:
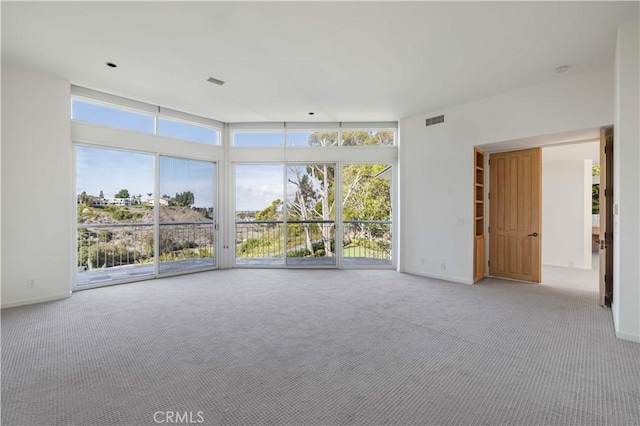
{"x": 345, "y": 61}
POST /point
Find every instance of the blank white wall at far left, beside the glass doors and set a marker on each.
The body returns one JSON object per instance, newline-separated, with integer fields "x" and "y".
{"x": 36, "y": 187}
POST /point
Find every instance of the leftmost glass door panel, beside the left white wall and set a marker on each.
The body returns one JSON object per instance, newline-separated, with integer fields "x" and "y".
{"x": 115, "y": 226}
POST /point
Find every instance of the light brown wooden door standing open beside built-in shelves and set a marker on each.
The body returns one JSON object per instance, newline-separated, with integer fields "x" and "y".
{"x": 515, "y": 209}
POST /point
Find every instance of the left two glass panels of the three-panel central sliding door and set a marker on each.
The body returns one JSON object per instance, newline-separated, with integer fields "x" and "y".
{"x": 296, "y": 233}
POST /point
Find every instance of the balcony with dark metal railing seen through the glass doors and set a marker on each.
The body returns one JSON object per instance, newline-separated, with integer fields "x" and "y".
{"x": 125, "y": 251}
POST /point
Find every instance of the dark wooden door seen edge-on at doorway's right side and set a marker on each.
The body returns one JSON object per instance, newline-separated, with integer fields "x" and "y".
{"x": 606, "y": 216}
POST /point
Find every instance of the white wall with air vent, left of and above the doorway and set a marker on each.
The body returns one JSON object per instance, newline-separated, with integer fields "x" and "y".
{"x": 436, "y": 162}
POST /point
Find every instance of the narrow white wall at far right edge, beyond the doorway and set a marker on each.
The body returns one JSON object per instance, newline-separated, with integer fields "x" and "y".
{"x": 626, "y": 149}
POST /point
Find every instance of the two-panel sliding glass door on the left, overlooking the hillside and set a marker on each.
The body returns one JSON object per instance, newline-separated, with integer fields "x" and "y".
{"x": 122, "y": 236}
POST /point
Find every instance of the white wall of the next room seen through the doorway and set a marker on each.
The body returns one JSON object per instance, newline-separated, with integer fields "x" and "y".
{"x": 566, "y": 212}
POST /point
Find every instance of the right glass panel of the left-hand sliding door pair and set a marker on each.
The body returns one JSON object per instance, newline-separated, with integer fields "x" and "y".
{"x": 186, "y": 205}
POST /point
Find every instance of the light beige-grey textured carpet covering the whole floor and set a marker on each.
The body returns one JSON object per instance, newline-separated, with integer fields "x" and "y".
{"x": 318, "y": 347}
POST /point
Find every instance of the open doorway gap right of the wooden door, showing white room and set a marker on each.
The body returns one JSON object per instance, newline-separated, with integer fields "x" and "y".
{"x": 570, "y": 215}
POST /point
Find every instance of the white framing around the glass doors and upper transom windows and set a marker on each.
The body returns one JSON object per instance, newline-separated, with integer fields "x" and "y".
{"x": 225, "y": 155}
